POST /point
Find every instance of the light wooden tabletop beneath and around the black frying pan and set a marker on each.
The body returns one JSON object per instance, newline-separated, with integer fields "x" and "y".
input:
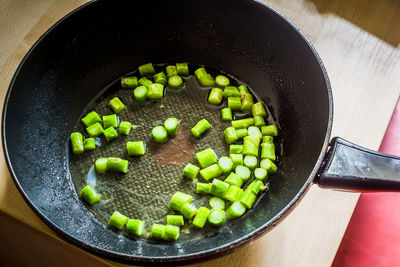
{"x": 359, "y": 43}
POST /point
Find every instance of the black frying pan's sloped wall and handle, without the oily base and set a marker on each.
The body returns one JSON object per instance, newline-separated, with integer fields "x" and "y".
{"x": 103, "y": 40}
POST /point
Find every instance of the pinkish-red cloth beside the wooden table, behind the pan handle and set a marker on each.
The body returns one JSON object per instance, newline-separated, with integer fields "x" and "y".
{"x": 372, "y": 237}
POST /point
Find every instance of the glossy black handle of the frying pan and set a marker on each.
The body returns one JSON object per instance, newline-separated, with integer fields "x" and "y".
{"x": 350, "y": 167}
